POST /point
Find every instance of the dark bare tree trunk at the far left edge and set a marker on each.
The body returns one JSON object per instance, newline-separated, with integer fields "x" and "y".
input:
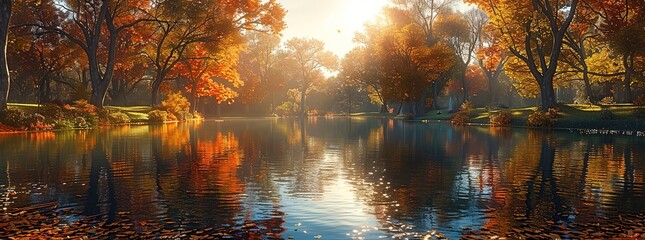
{"x": 5, "y": 82}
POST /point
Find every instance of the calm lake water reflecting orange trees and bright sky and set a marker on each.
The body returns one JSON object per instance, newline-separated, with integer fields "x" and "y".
{"x": 331, "y": 177}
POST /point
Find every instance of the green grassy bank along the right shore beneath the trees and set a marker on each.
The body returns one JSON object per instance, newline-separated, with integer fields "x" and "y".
{"x": 570, "y": 116}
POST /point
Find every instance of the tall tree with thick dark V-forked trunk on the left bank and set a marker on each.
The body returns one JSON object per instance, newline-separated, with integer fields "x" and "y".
{"x": 94, "y": 26}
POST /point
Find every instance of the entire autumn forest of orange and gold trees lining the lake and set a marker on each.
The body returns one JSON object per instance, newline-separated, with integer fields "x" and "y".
{"x": 228, "y": 58}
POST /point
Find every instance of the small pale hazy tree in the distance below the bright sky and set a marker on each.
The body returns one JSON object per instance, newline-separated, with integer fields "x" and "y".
{"x": 308, "y": 60}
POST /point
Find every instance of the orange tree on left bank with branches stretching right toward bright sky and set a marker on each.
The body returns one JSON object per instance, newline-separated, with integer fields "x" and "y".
{"x": 181, "y": 24}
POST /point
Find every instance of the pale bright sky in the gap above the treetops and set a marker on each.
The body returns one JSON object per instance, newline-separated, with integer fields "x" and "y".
{"x": 334, "y": 22}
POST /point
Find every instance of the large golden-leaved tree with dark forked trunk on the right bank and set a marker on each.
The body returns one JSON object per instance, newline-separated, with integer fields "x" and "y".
{"x": 533, "y": 31}
